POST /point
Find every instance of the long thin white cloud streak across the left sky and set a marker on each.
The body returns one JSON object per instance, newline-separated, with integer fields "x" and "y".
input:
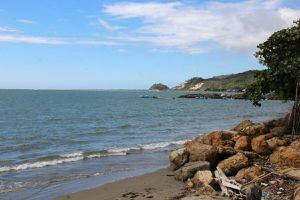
{"x": 52, "y": 41}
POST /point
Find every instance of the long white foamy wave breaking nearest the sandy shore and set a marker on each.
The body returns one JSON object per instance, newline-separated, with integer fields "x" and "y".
{"x": 77, "y": 156}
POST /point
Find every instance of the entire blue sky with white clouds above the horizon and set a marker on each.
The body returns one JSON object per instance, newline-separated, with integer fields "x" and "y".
{"x": 100, "y": 44}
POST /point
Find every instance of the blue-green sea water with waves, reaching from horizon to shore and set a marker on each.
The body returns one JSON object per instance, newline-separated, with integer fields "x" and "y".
{"x": 56, "y": 142}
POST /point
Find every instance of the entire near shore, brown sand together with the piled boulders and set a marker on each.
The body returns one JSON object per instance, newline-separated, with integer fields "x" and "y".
{"x": 193, "y": 173}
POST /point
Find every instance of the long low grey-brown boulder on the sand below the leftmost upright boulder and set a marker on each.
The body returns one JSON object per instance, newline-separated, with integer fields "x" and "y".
{"x": 189, "y": 170}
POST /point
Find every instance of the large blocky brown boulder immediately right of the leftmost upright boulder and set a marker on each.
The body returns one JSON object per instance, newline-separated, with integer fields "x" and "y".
{"x": 202, "y": 152}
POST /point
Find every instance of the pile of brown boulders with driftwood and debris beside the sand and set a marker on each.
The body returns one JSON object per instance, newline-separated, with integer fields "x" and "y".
{"x": 251, "y": 161}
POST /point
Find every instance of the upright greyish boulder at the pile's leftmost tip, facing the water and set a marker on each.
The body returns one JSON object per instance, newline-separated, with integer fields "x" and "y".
{"x": 178, "y": 158}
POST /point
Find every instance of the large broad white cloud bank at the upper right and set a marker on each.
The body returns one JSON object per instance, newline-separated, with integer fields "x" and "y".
{"x": 194, "y": 29}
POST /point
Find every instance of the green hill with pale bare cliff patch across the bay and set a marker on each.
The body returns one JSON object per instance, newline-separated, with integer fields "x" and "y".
{"x": 231, "y": 82}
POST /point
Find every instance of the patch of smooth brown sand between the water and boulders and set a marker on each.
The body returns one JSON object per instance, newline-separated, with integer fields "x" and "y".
{"x": 159, "y": 185}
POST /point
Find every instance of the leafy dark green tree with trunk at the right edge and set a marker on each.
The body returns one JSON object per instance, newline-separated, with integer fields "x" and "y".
{"x": 281, "y": 56}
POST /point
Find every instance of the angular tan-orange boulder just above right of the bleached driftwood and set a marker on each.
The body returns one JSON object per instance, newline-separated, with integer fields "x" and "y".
{"x": 233, "y": 164}
